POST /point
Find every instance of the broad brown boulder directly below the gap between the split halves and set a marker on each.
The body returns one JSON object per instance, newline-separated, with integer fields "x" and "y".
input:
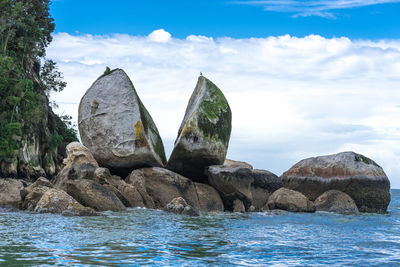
{"x": 159, "y": 186}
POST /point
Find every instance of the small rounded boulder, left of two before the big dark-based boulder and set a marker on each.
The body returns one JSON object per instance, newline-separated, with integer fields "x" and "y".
{"x": 290, "y": 200}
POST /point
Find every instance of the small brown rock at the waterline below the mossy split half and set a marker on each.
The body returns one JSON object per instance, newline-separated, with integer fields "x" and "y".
{"x": 209, "y": 199}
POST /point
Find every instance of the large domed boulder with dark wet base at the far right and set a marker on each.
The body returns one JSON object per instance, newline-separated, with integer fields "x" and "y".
{"x": 354, "y": 174}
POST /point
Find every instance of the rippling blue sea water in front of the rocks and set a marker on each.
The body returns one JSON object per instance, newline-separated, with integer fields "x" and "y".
{"x": 151, "y": 237}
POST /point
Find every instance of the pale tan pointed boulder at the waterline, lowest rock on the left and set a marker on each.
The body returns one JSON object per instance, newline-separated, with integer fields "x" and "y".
{"x": 57, "y": 201}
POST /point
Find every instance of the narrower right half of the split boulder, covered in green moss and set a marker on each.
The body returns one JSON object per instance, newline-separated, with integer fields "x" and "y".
{"x": 203, "y": 136}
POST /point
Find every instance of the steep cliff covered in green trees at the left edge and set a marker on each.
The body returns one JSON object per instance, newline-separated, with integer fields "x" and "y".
{"x": 32, "y": 137}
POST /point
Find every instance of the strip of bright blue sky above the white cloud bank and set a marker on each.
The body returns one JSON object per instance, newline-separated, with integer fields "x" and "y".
{"x": 238, "y": 19}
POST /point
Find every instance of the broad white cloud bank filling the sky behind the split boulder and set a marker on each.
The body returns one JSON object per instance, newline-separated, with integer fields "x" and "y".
{"x": 291, "y": 97}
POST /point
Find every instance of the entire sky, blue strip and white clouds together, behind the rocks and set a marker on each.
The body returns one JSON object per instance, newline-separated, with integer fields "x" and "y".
{"x": 303, "y": 78}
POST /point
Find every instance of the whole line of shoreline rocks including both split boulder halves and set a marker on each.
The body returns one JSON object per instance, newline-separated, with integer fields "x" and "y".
{"x": 122, "y": 163}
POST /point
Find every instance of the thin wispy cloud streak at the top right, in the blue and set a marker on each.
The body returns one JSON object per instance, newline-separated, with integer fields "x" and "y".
{"x": 321, "y": 8}
